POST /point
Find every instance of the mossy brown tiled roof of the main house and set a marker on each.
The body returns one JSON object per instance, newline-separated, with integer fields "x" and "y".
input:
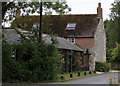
{"x": 86, "y": 25}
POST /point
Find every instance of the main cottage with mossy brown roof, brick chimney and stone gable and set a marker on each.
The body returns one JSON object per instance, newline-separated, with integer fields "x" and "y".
{"x": 86, "y": 31}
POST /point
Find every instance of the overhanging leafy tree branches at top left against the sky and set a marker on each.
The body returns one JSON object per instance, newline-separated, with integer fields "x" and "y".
{"x": 31, "y": 7}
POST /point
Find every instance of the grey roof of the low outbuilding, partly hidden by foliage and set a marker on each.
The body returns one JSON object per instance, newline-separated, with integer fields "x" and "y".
{"x": 12, "y": 36}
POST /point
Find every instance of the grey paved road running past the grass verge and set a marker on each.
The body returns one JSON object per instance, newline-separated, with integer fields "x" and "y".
{"x": 97, "y": 79}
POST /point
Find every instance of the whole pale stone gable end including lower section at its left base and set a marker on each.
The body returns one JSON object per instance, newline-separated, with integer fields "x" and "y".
{"x": 99, "y": 50}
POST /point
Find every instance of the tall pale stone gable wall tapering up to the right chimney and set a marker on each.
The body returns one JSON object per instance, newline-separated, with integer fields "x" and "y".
{"x": 100, "y": 43}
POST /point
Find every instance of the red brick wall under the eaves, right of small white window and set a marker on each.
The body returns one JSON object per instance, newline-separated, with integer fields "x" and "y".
{"x": 85, "y": 42}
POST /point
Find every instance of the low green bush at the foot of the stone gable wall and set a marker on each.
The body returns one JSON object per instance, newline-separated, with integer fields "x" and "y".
{"x": 102, "y": 66}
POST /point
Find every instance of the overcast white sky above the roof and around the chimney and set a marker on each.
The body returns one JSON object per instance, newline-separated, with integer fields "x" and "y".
{"x": 90, "y": 7}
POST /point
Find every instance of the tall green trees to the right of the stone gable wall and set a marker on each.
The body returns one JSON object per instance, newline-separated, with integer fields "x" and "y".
{"x": 113, "y": 31}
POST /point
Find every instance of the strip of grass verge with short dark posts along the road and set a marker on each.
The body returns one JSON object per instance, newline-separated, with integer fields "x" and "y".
{"x": 75, "y": 76}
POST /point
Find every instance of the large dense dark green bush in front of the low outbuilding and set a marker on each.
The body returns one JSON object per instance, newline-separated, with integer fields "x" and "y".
{"x": 30, "y": 65}
